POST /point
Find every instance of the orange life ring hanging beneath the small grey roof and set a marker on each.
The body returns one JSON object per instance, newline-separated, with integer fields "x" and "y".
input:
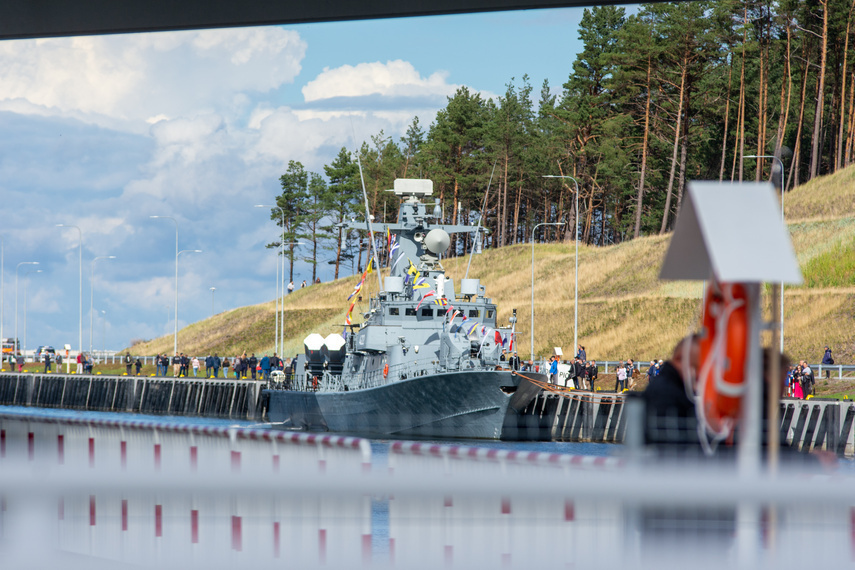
{"x": 723, "y": 352}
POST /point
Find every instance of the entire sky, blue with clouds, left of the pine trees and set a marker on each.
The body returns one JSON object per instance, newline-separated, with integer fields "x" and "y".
{"x": 103, "y": 132}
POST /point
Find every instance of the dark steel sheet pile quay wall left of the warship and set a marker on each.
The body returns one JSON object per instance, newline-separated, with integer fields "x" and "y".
{"x": 222, "y": 398}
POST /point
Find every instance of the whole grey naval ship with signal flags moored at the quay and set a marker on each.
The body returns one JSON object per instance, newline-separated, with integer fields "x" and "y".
{"x": 427, "y": 359}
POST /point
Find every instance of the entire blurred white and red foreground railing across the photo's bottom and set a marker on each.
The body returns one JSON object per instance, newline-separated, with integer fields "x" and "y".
{"x": 124, "y": 492}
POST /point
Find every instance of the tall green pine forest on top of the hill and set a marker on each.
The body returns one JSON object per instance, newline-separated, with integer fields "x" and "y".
{"x": 675, "y": 92}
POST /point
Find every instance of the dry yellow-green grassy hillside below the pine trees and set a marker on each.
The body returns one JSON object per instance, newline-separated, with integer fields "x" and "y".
{"x": 624, "y": 309}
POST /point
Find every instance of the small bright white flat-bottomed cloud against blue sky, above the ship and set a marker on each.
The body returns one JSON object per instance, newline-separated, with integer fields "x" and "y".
{"x": 392, "y": 79}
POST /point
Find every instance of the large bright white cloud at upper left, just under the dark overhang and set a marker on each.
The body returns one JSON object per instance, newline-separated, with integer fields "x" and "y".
{"x": 139, "y": 77}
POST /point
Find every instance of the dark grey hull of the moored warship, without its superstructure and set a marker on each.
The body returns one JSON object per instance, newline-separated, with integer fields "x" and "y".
{"x": 465, "y": 404}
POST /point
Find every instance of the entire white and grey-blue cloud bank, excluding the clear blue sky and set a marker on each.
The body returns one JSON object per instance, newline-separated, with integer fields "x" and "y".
{"x": 110, "y": 130}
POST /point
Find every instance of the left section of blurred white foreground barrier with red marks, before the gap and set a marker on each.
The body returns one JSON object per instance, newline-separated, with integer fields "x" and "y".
{"x": 171, "y": 495}
